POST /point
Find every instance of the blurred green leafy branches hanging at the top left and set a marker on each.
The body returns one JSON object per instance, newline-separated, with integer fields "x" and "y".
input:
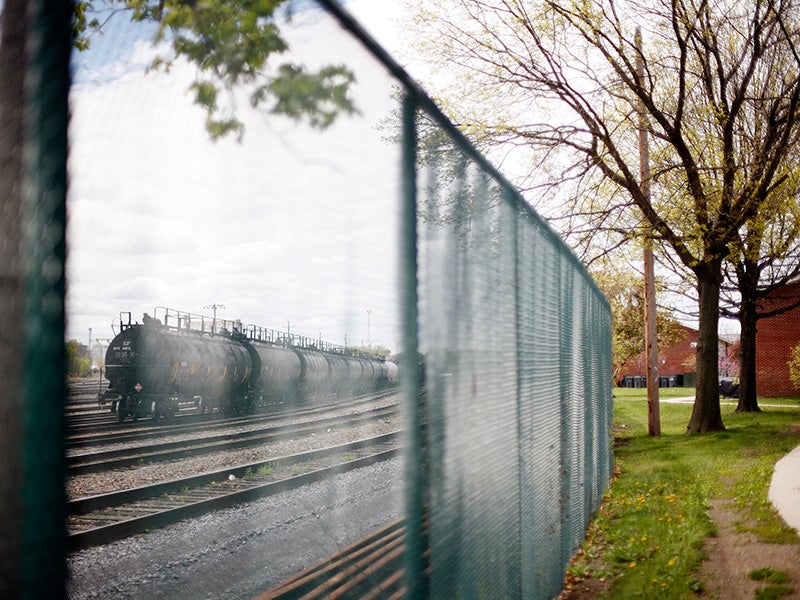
{"x": 232, "y": 45}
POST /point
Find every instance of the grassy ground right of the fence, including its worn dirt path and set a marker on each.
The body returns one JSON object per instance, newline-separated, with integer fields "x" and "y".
{"x": 689, "y": 516}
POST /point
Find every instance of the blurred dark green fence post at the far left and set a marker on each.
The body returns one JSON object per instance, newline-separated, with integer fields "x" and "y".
{"x": 43, "y": 567}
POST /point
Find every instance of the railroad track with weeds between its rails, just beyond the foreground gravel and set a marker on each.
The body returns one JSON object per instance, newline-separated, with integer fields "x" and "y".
{"x": 107, "y": 517}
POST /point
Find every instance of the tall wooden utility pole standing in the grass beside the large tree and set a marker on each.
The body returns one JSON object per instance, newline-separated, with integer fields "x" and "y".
{"x": 651, "y": 342}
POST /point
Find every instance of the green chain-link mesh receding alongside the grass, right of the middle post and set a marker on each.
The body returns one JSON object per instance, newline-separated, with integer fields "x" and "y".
{"x": 514, "y": 388}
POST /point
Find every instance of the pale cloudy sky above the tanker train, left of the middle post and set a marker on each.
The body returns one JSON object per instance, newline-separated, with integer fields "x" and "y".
{"x": 290, "y": 226}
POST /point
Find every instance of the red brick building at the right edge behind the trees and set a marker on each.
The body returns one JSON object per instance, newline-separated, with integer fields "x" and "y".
{"x": 774, "y": 342}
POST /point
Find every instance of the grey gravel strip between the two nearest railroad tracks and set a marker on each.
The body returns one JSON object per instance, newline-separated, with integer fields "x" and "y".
{"x": 238, "y": 553}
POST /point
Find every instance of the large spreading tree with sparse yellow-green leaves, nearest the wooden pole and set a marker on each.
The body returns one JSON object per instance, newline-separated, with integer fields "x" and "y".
{"x": 717, "y": 86}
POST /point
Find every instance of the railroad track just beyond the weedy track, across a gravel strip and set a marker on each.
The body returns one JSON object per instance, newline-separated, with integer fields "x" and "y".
{"x": 92, "y": 462}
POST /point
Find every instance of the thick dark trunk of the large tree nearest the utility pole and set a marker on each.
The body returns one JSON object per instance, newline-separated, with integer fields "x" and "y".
{"x": 706, "y": 415}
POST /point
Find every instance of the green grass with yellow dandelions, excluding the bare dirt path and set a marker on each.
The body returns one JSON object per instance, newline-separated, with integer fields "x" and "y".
{"x": 647, "y": 539}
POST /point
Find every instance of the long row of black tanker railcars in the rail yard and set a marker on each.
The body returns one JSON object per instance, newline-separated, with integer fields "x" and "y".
{"x": 158, "y": 365}
